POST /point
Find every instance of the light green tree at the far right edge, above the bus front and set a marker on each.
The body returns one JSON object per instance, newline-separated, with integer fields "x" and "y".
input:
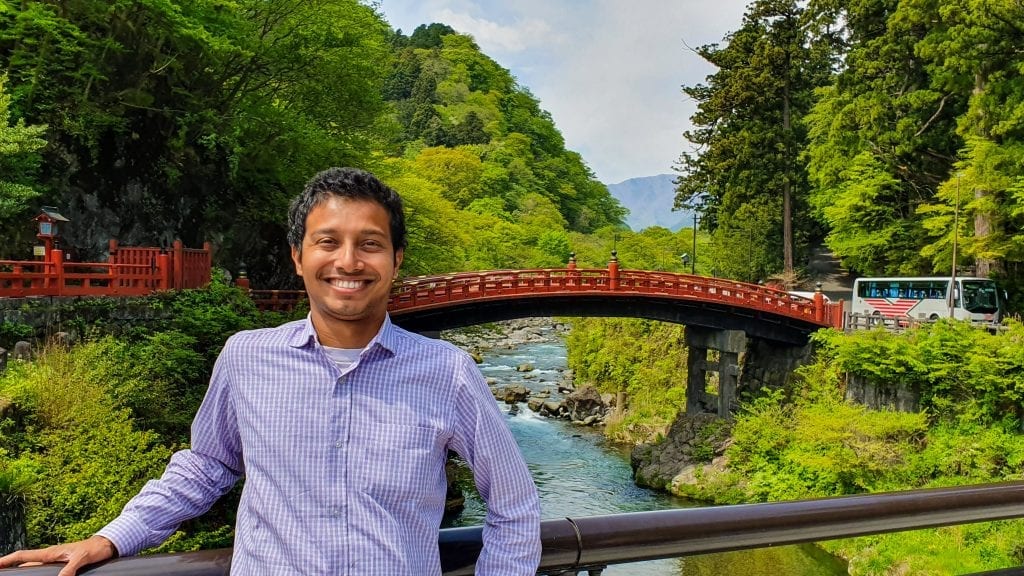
{"x": 974, "y": 52}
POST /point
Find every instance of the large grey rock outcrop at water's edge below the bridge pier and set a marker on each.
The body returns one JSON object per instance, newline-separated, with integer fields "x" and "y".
{"x": 694, "y": 442}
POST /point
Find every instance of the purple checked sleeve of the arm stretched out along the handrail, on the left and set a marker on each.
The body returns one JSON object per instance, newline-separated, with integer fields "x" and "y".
{"x": 194, "y": 480}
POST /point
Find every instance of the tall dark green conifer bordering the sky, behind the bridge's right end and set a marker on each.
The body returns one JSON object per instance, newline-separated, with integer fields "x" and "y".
{"x": 750, "y": 132}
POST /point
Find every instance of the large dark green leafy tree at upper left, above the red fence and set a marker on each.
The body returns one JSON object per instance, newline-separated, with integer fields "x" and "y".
{"x": 195, "y": 120}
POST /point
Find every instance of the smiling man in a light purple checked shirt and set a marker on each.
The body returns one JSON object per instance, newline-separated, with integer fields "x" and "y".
{"x": 340, "y": 424}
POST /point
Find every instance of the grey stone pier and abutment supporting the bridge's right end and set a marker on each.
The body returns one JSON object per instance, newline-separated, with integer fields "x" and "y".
{"x": 743, "y": 365}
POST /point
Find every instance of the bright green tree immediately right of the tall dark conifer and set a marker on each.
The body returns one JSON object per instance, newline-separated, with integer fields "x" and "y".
{"x": 882, "y": 138}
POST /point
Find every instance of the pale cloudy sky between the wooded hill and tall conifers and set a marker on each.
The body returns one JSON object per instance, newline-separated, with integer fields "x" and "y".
{"x": 610, "y": 72}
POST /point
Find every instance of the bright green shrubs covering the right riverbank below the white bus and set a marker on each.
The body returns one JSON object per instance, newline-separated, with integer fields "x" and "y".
{"x": 810, "y": 442}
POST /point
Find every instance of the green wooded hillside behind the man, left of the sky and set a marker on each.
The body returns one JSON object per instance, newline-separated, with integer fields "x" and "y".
{"x": 200, "y": 121}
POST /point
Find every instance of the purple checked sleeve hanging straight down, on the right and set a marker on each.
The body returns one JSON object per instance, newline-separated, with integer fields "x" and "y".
{"x": 513, "y": 525}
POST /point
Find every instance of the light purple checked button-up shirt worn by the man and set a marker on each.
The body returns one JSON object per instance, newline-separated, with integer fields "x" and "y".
{"x": 345, "y": 472}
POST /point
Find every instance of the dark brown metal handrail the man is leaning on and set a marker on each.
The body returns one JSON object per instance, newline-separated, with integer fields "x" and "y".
{"x": 592, "y": 543}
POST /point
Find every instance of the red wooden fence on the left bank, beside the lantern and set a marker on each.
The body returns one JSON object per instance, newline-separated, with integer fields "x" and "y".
{"x": 129, "y": 272}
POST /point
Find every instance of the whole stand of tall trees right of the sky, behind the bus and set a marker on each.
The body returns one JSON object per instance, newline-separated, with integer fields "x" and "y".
{"x": 886, "y": 129}
